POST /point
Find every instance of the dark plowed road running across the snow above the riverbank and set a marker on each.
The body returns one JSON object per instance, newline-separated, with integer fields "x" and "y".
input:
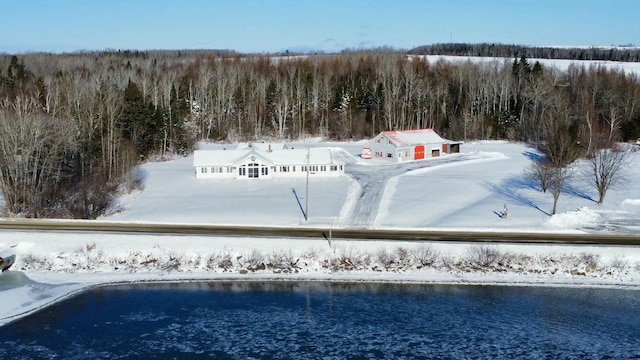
{"x": 303, "y": 232}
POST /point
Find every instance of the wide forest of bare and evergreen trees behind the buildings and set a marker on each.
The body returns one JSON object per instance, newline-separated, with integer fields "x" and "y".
{"x": 73, "y": 126}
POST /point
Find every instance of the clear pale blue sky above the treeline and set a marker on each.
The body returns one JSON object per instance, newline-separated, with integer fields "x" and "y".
{"x": 324, "y": 25}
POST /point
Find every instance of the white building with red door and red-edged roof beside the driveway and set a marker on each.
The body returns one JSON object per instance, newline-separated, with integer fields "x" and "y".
{"x": 408, "y": 145}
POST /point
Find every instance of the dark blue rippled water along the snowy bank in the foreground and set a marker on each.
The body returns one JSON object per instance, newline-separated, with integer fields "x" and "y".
{"x": 283, "y": 320}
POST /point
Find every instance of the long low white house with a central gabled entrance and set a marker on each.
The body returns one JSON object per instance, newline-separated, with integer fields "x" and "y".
{"x": 268, "y": 161}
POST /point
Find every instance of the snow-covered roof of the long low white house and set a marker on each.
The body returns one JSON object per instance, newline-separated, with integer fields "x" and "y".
{"x": 275, "y": 157}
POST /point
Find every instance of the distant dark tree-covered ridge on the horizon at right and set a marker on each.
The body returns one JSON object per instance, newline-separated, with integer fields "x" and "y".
{"x": 610, "y": 53}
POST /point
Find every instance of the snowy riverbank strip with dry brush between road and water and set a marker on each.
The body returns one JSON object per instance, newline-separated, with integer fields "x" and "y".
{"x": 57, "y": 265}
